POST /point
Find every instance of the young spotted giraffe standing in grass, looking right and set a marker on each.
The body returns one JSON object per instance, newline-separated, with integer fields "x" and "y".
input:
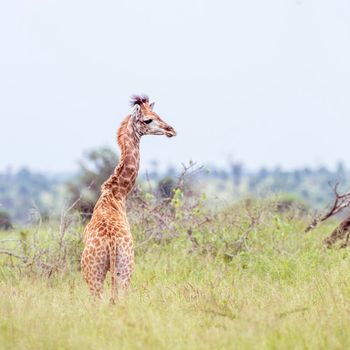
{"x": 107, "y": 238}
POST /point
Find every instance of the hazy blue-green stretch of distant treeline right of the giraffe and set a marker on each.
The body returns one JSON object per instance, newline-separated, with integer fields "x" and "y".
{"x": 313, "y": 185}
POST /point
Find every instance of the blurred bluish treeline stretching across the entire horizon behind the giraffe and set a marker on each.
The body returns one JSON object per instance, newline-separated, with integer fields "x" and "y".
{"x": 24, "y": 194}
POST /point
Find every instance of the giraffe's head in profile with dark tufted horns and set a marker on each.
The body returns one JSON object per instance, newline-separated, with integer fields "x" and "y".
{"x": 146, "y": 121}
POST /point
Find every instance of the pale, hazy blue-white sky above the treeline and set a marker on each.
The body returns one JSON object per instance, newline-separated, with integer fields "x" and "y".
{"x": 266, "y": 83}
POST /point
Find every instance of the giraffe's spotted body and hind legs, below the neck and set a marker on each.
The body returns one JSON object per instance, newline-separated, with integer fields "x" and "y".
{"x": 108, "y": 246}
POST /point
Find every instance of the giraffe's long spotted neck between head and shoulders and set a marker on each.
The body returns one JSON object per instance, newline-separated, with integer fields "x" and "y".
{"x": 121, "y": 182}
